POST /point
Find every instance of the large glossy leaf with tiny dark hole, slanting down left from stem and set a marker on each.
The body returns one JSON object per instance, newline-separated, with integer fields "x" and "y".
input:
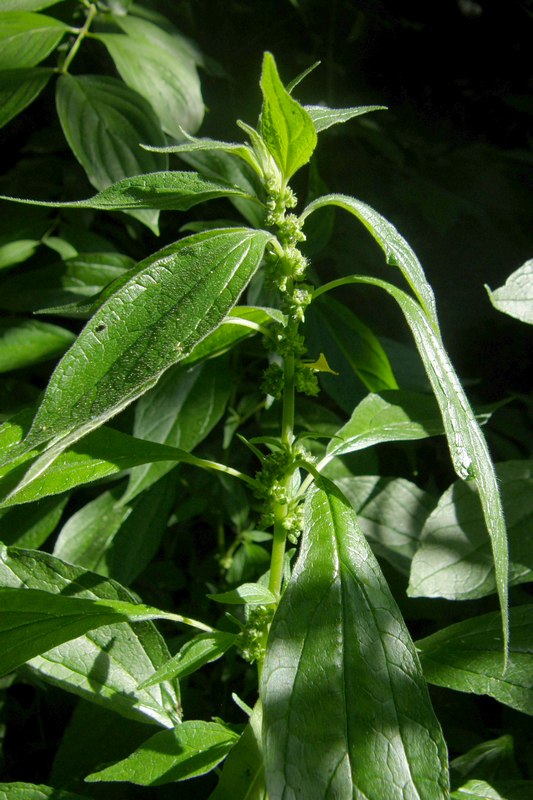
{"x": 170, "y": 303}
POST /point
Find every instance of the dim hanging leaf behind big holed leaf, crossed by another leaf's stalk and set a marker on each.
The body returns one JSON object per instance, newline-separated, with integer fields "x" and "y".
{"x": 180, "y": 411}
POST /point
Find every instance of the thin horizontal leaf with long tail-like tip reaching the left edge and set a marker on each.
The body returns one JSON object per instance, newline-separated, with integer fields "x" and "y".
{"x": 166, "y": 191}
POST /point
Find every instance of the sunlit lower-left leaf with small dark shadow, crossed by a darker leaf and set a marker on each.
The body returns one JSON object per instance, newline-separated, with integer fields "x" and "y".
{"x": 106, "y": 665}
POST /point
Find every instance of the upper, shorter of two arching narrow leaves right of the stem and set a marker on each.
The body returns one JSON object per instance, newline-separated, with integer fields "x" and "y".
{"x": 398, "y": 252}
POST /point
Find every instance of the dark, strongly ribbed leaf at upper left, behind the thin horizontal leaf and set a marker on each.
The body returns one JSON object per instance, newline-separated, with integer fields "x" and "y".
{"x": 104, "y": 123}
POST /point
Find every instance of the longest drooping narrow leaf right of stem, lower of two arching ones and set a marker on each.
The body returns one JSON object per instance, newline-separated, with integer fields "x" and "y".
{"x": 468, "y": 448}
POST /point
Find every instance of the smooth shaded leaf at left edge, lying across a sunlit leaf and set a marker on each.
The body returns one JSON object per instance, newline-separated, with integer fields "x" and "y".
{"x": 34, "y": 621}
